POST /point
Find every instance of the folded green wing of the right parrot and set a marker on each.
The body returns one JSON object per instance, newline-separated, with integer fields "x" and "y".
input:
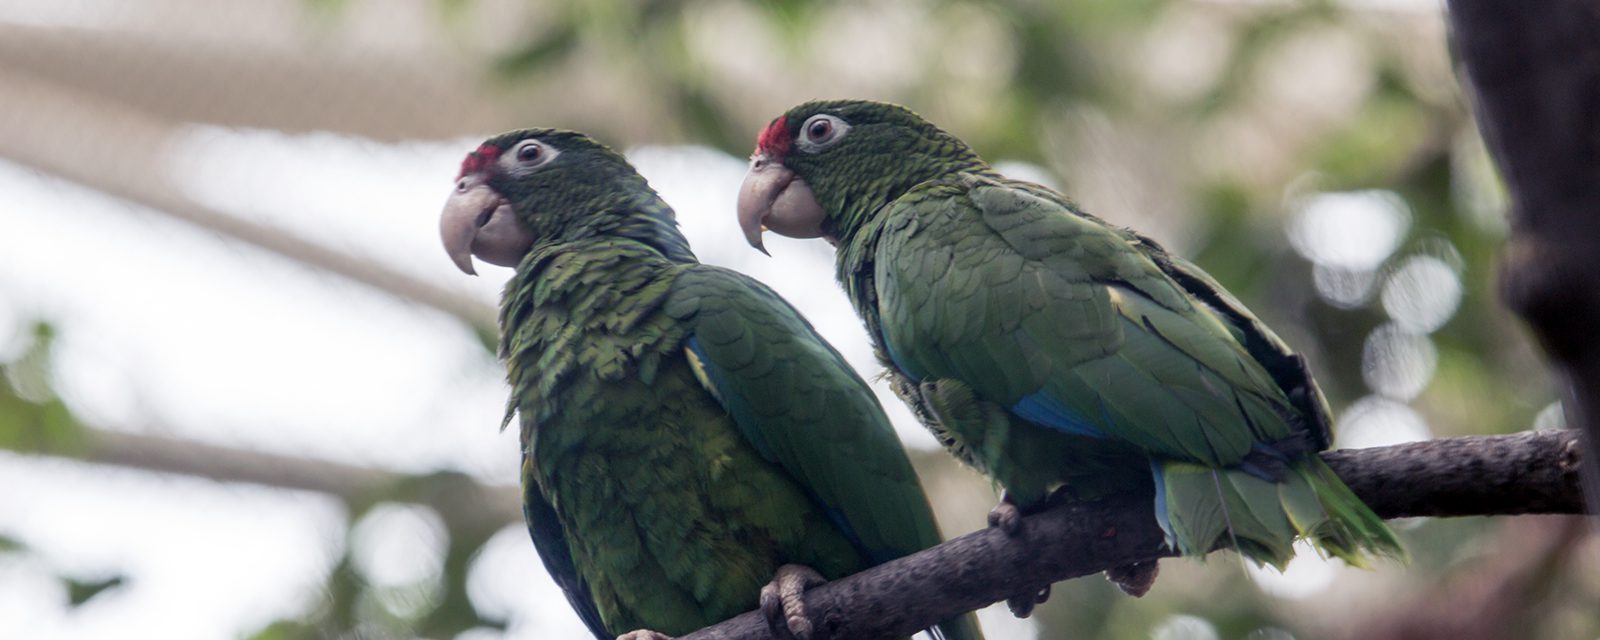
{"x": 1041, "y": 300}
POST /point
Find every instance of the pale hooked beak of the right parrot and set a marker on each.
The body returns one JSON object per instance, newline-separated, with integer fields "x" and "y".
{"x": 775, "y": 198}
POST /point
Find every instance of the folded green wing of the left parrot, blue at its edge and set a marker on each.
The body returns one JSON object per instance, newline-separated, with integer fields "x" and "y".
{"x": 806, "y": 409}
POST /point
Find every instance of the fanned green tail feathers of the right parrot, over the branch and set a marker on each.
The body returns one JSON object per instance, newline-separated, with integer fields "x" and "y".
{"x": 1262, "y": 519}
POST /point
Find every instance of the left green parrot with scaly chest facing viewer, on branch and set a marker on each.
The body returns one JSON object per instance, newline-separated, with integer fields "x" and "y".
{"x": 687, "y": 438}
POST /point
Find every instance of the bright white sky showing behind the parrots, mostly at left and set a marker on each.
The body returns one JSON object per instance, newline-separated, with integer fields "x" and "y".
{"x": 174, "y": 330}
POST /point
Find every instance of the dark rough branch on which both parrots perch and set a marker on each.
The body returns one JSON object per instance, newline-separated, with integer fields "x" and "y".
{"x": 1534, "y": 473}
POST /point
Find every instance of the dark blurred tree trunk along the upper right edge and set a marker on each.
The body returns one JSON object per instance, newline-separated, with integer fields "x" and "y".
{"x": 1535, "y": 79}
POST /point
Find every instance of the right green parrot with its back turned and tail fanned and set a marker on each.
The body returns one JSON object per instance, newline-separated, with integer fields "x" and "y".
{"x": 1054, "y": 351}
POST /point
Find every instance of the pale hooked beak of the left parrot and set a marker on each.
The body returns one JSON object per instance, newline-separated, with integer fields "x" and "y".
{"x": 478, "y": 222}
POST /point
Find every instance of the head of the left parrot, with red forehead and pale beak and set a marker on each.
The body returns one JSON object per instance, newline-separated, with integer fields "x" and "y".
{"x": 538, "y": 188}
